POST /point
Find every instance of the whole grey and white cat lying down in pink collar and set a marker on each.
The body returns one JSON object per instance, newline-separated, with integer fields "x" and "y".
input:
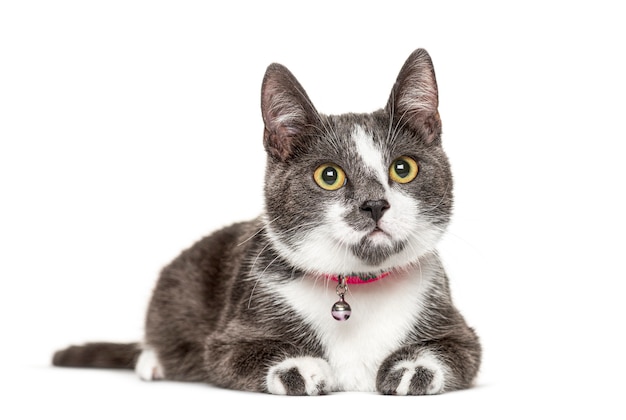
{"x": 355, "y": 205}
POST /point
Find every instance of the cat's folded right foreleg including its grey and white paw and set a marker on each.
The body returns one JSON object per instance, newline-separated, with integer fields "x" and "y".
{"x": 427, "y": 370}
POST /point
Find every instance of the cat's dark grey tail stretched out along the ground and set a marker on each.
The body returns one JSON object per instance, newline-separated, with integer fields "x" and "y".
{"x": 99, "y": 355}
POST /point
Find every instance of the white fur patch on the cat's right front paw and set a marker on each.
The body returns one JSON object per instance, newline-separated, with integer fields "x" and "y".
{"x": 431, "y": 375}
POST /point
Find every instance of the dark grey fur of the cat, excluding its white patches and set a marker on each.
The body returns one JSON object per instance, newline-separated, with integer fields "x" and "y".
{"x": 214, "y": 316}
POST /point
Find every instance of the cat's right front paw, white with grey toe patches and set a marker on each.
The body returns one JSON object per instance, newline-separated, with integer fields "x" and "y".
{"x": 424, "y": 376}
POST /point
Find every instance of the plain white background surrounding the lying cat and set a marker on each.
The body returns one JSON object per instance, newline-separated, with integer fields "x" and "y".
{"x": 130, "y": 129}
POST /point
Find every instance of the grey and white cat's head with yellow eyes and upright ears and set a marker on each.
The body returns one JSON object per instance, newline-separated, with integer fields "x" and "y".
{"x": 355, "y": 193}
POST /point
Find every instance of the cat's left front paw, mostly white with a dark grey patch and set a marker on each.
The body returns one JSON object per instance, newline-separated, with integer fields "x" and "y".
{"x": 300, "y": 376}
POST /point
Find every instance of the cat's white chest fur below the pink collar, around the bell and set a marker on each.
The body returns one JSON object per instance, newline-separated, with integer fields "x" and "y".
{"x": 383, "y": 313}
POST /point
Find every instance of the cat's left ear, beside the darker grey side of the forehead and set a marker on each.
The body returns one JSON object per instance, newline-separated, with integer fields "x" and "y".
{"x": 287, "y": 111}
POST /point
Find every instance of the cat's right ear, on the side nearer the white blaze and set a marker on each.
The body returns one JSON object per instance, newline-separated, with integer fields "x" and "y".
{"x": 414, "y": 97}
